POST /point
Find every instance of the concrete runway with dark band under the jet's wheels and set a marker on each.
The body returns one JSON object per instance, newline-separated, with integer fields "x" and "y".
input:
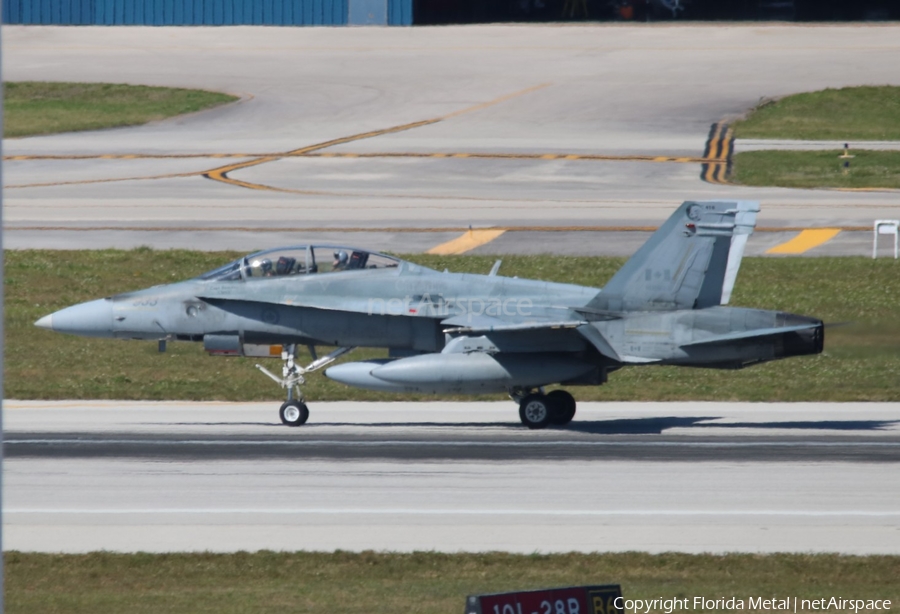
{"x": 691, "y": 477}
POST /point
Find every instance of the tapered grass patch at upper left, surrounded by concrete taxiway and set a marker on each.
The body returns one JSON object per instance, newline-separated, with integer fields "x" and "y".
{"x": 32, "y": 108}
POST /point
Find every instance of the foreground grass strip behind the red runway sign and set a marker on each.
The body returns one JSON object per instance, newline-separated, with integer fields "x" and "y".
{"x": 424, "y": 583}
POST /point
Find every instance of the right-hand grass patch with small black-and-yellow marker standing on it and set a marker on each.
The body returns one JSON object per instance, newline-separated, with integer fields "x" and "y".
{"x": 817, "y": 169}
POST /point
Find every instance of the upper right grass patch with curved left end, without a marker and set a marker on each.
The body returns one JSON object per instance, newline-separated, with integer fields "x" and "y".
{"x": 852, "y": 113}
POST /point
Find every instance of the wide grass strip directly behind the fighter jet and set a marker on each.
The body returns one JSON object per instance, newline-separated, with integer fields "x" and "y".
{"x": 861, "y": 361}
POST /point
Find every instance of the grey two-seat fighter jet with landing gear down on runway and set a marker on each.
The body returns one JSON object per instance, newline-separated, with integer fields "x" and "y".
{"x": 462, "y": 333}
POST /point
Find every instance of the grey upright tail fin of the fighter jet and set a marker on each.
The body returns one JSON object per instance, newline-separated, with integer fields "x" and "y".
{"x": 691, "y": 262}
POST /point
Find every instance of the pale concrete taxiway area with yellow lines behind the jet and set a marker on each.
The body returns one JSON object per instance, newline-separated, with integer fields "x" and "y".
{"x": 386, "y": 130}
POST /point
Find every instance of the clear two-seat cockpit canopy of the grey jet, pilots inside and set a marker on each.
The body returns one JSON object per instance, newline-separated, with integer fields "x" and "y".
{"x": 300, "y": 260}
